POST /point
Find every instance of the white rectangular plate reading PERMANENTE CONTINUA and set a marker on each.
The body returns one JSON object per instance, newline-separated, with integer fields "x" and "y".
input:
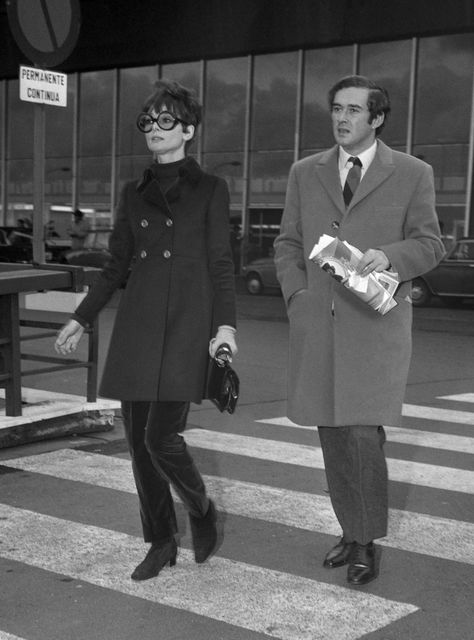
{"x": 46, "y": 87}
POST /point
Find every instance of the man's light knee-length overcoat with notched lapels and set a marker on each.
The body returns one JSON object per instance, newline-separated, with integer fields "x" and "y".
{"x": 347, "y": 363}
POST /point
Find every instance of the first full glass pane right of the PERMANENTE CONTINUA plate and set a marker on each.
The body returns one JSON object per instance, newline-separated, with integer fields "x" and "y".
{"x": 96, "y": 110}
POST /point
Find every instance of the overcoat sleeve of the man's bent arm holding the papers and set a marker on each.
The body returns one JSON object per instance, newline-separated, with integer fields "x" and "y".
{"x": 422, "y": 248}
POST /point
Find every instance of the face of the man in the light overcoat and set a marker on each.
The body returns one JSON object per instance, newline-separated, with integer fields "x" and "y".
{"x": 350, "y": 120}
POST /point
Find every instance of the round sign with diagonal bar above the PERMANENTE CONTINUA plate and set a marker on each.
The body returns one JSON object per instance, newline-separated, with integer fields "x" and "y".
{"x": 45, "y": 30}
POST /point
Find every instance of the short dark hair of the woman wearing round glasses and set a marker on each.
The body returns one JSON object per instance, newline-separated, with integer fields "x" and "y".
{"x": 176, "y": 99}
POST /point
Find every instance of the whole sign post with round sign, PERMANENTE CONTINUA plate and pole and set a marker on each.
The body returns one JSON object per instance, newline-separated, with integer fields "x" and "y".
{"x": 46, "y": 31}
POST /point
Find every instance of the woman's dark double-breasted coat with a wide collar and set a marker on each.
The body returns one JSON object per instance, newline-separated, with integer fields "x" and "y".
{"x": 180, "y": 287}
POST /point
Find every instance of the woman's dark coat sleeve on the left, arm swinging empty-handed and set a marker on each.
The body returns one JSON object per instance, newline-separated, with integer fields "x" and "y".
{"x": 114, "y": 273}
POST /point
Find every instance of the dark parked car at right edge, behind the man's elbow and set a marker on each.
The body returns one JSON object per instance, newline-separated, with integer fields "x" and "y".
{"x": 452, "y": 280}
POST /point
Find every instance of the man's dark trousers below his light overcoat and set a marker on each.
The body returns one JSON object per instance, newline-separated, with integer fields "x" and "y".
{"x": 356, "y": 471}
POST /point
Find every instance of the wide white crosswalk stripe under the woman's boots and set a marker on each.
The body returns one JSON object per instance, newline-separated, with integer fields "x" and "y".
{"x": 281, "y": 605}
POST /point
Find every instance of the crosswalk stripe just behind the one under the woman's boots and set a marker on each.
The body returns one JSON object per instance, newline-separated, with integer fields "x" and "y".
{"x": 409, "y": 531}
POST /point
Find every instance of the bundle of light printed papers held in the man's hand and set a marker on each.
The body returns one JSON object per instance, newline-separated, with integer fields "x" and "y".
{"x": 340, "y": 259}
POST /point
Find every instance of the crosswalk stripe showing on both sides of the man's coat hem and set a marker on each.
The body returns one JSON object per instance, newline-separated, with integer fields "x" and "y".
{"x": 418, "y": 438}
